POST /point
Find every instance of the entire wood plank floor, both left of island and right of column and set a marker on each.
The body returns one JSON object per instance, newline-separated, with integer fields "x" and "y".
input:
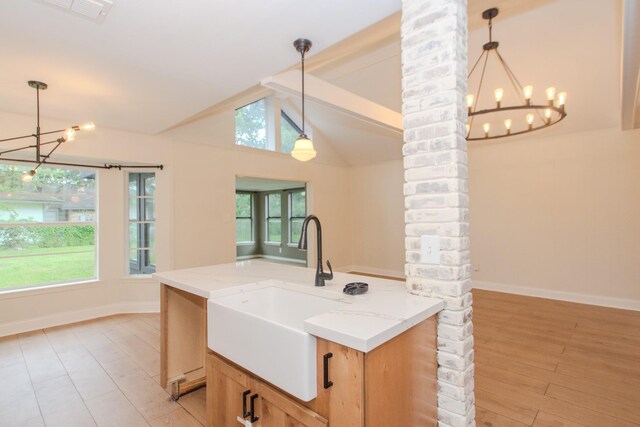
{"x": 538, "y": 362}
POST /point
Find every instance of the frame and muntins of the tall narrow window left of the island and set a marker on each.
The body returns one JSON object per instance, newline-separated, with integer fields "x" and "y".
{"x": 141, "y": 267}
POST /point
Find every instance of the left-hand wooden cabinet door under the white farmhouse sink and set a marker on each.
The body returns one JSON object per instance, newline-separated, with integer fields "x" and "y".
{"x": 228, "y": 393}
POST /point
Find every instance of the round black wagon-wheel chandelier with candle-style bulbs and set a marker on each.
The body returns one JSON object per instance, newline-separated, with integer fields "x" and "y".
{"x": 523, "y": 117}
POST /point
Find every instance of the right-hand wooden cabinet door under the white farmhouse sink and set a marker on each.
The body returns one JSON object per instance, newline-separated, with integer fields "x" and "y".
{"x": 277, "y": 410}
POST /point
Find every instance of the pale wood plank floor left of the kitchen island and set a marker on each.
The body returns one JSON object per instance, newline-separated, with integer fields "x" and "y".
{"x": 103, "y": 372}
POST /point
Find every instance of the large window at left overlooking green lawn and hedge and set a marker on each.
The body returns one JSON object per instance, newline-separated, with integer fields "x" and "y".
{"x": 47, "y": 226}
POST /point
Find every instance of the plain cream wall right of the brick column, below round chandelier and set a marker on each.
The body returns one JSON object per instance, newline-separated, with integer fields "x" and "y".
{"x": 558, "y": 216}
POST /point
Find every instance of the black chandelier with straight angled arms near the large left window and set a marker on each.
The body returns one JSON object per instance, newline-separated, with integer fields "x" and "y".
{"x": 67, "y": 135}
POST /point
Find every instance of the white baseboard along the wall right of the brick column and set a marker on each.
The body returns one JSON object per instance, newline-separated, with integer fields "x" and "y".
{"x": 600, "y": 300}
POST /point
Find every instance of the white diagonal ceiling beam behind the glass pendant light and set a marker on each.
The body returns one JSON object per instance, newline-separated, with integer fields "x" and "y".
{"x": 321, "y": 92}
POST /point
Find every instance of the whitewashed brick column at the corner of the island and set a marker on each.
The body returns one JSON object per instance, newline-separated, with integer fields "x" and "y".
{"x": 434, "y": 84}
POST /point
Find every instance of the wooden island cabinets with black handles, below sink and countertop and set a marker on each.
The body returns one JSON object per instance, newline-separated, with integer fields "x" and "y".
{"x": 392, "y": 385}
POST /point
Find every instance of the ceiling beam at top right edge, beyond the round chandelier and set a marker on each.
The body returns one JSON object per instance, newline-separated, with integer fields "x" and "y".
{"x": 630, "y": 64}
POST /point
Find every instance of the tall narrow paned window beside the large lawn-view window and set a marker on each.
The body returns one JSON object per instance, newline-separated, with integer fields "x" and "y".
{"x": 142, "y": 217}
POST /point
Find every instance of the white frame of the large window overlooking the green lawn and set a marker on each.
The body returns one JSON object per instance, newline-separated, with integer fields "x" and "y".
{"x": 94, "y": 278}
